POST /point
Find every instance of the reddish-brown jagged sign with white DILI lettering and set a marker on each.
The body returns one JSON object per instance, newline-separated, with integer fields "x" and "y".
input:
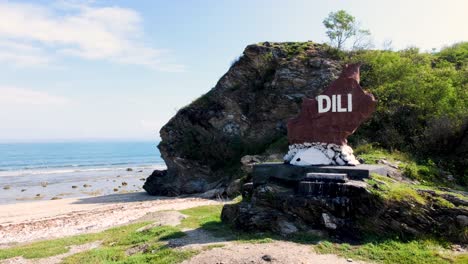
{"x": 335, "y": 114}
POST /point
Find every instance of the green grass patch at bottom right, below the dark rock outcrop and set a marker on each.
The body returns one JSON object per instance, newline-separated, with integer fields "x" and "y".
{"x": 393, "y": 251}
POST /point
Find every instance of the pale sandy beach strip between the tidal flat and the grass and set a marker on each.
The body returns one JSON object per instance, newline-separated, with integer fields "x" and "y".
{"x": 26, "y": 222}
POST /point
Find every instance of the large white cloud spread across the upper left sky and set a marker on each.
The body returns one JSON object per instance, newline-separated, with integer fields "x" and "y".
{"x": 82, "y": 30}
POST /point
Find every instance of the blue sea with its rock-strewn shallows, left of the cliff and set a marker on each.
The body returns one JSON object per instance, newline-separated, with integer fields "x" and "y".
{"x": 38, "y": 171}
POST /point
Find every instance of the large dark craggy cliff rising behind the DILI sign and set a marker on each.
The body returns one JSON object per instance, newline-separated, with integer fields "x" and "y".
{"x": 244, "y": 114}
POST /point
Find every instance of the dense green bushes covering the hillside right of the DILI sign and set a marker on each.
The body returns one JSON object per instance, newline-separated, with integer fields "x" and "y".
{"x": 422, "y": 107}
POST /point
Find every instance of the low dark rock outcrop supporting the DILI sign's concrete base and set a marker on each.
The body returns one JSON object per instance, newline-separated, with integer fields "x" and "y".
{"x": 348, "y": 209}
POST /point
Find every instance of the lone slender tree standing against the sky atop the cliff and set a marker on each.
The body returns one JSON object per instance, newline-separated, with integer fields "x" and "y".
{"x": 342, "y": 26}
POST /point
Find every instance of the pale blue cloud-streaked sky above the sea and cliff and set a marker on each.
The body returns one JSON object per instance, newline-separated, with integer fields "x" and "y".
{"x": 119, "y": 70}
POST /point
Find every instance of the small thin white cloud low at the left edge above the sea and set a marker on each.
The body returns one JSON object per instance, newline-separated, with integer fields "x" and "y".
{"x": 17, "y": 96}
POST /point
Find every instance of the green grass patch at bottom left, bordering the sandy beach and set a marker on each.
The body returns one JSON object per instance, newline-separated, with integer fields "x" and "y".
{"x": 115, "y": 243}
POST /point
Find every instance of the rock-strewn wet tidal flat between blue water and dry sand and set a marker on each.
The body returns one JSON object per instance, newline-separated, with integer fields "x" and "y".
{"x": 55, "y": 186}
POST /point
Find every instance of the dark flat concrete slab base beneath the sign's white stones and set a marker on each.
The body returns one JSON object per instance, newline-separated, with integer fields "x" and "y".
{"x": 263, "y": 172}
